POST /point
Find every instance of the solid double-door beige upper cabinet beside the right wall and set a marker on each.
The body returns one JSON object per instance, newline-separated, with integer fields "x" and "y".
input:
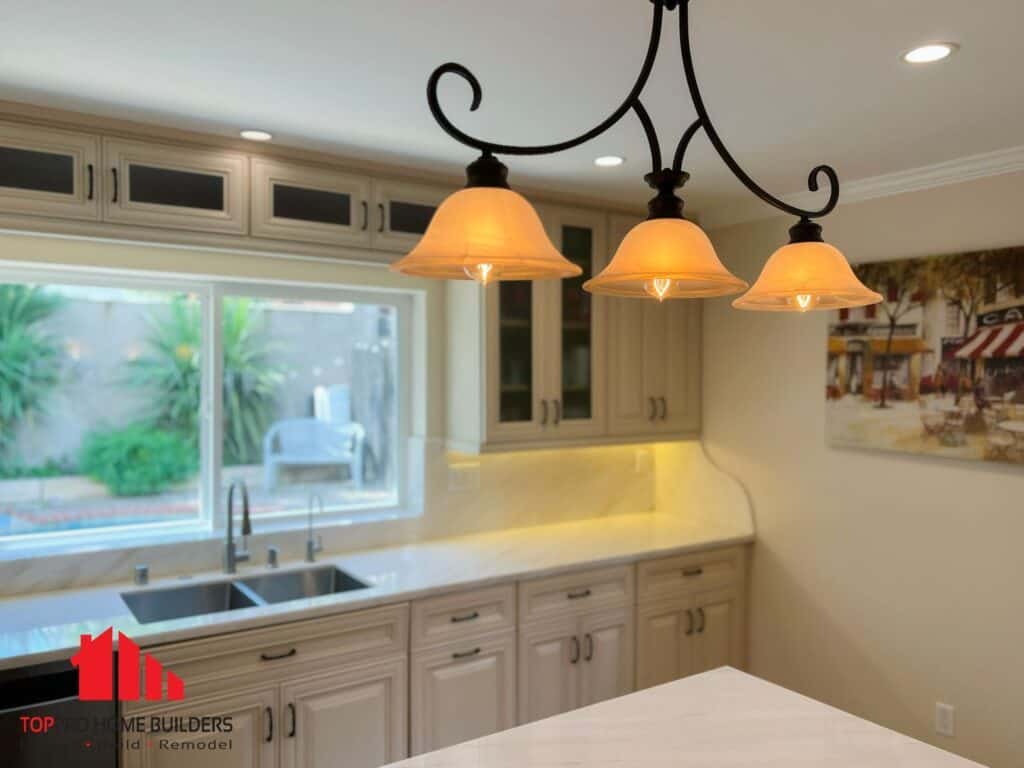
{"x": 655, "y": 362}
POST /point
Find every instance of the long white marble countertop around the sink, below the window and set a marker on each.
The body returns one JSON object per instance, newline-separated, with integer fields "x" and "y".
{"x": 47, "y": 627}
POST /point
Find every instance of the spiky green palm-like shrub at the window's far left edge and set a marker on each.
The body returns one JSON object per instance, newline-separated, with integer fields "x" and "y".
{"x": 30, "y": 359}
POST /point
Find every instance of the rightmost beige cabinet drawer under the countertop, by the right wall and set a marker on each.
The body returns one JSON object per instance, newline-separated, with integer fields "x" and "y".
{"x": 671, "y": 577}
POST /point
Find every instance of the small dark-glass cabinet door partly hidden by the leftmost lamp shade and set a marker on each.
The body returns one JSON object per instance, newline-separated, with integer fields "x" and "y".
{"x": 402, "y": 212}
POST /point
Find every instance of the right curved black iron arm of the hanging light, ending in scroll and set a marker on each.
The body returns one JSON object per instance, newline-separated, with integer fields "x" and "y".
{"x": 705, "y": 121}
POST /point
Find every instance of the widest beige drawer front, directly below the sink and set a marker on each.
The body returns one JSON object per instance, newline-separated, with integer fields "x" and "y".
{"x": 286, "y": 651}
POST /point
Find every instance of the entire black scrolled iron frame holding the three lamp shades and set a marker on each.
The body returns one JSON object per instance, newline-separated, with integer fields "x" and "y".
{"x": 632, "y": 102}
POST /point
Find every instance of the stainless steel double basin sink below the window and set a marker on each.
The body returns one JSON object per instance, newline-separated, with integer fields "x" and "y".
{"x": 164, "y": 605}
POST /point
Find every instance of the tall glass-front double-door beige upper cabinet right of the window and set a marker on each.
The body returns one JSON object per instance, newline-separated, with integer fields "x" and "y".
{"x": 527, "y": 359}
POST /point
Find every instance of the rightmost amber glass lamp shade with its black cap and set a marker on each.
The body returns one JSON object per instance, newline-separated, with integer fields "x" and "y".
{"x": 806, "y": 275}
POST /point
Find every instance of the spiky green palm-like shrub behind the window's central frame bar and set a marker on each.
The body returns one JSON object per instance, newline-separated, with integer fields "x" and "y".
{"x": 172, "y": 372}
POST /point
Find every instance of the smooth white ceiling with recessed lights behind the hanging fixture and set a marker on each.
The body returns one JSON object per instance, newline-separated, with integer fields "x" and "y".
{"x": 790, "y": 83}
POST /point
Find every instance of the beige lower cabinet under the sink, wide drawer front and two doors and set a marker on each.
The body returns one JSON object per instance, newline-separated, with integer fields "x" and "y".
{"x": 330, "y": 692}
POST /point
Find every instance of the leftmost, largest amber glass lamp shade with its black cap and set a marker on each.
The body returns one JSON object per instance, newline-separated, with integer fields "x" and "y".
{"x": 487, "y": 234}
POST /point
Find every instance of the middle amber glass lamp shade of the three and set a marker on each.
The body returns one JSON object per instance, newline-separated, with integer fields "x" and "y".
{"x": 666, "y": 259}
